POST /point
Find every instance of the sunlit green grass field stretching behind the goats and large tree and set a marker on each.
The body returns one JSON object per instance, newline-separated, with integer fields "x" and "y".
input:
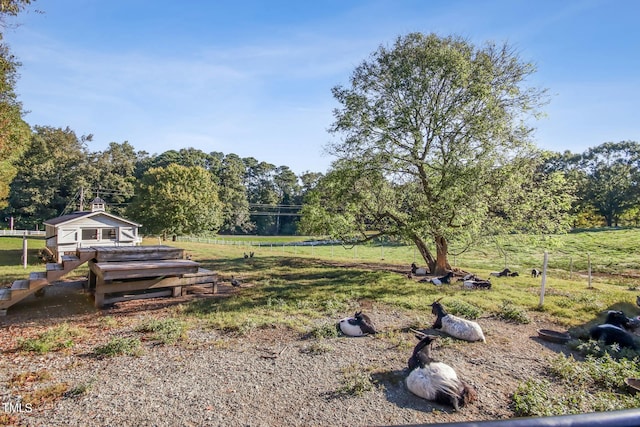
{"x": 306, "y": 279}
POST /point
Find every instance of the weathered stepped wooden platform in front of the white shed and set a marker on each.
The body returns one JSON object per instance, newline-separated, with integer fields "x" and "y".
{"x": 125, "y": 273}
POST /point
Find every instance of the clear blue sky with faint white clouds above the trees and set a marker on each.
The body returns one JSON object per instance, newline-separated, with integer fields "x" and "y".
{"x": 254, "y": 78}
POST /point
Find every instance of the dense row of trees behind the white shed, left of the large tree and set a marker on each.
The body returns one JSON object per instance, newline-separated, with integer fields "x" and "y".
{"x": 184, "y": 191}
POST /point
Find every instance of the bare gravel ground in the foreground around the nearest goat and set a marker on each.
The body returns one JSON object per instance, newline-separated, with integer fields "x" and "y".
{"x": 271, "y": 377}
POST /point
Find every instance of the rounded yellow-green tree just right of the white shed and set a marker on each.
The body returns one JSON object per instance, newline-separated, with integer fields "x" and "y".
{"x": 176, "y": 200}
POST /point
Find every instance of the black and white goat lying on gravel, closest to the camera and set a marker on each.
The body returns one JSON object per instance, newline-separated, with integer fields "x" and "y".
{"x": 436, "y": 381}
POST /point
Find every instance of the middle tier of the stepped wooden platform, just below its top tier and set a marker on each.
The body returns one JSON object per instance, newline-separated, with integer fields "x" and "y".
{"x": 141, "y": 269}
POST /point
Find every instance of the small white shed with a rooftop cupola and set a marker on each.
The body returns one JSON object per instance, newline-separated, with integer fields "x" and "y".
{"x": 85, "y": 229}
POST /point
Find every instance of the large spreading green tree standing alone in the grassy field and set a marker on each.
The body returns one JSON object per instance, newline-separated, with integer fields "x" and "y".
{"x": 433, "y": 143}
